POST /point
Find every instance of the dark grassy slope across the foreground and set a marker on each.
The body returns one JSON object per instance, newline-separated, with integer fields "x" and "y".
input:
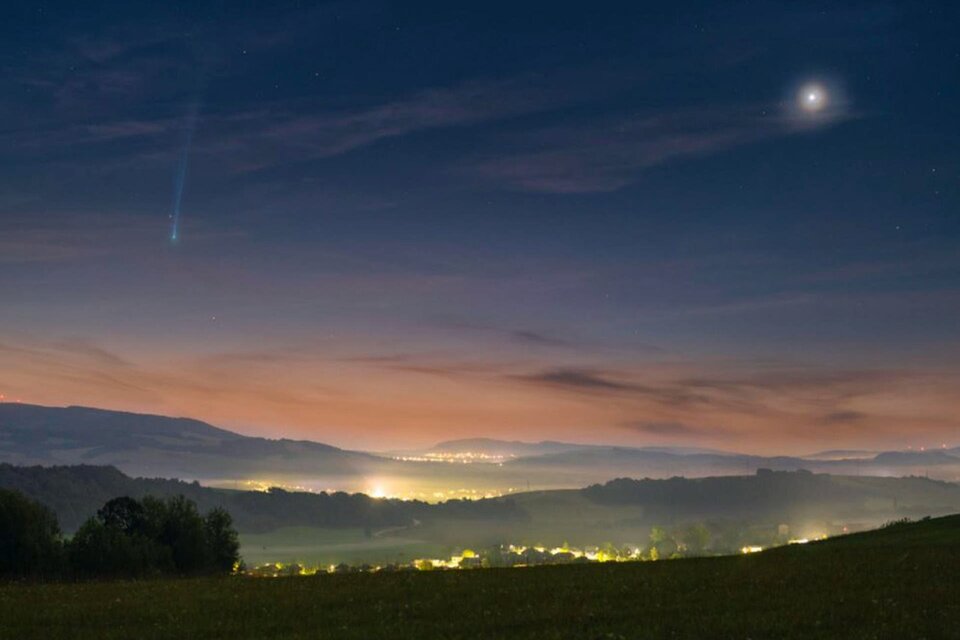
{"x": 899, "y": 583}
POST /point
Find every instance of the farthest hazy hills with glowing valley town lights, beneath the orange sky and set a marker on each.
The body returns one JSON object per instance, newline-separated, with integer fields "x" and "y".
{"x": 158, "y": 446}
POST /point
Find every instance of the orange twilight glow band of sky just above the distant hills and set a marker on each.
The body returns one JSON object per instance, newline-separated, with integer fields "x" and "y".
{"x": 410, "y": 402}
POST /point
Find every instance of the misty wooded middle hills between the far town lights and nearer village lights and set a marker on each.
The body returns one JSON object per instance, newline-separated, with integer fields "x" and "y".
{"x": 620, "y": 511}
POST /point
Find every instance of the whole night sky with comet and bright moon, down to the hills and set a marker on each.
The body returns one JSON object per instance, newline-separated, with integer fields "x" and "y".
{"x": 380, "y": 225}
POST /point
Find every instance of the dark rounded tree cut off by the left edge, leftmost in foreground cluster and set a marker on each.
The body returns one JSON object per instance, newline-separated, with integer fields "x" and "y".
{"x": 30, "y": 538}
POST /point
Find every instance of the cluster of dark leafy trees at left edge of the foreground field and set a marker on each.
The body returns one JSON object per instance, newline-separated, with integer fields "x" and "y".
{"x": 126, "y": 538}
